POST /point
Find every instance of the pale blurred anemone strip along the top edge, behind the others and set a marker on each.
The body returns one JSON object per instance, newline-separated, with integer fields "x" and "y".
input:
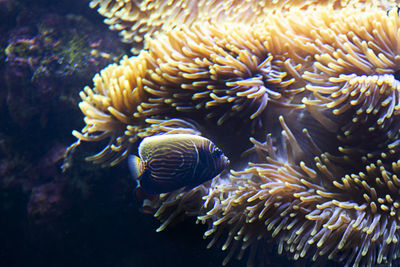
{"x": 137, "y": 20}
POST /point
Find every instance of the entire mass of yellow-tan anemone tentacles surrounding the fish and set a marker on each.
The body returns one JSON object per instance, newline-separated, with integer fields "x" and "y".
{"x": 303, "y": 96}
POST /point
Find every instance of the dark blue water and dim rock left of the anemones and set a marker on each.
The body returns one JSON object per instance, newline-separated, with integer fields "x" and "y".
{"x": 87, "y": 216}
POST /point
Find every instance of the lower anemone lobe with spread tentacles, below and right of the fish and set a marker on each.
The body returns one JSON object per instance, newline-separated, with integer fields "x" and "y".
{"x": 328, "y": 209}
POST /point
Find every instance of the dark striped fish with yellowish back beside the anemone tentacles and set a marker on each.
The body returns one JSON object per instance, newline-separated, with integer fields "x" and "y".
{"x": 172, "y": 161}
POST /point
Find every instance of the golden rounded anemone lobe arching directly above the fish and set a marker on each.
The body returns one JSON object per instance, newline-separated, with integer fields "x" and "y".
{"x": 197, "y": 73}
